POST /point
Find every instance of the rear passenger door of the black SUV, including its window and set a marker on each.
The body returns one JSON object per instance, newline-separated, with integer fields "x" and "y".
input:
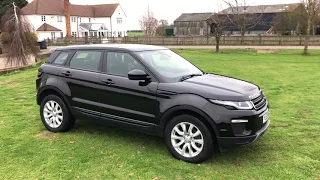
{"x": 81, "y": 77}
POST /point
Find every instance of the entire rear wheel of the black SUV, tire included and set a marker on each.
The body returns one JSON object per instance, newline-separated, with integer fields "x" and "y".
{"x": 57, "y": 119}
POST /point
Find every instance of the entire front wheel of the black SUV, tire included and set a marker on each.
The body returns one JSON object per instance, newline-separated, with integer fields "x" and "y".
{"x": 194, "y": 151}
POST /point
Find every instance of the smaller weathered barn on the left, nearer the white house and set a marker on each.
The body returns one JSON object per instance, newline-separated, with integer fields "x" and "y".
{"x": 192, "y": 24}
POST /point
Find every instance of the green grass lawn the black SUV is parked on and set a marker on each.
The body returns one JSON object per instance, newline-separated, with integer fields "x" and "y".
{"x": 289, "y": 150}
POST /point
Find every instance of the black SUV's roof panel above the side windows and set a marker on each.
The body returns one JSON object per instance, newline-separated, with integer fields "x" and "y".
{"x": 116, "y": 47}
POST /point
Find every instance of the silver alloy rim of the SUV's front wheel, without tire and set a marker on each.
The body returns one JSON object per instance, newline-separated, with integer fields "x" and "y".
{"x": 187, "y": 139}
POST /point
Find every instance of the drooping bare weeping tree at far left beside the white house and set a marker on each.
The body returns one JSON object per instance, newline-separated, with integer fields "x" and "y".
{"x": 18, "y": 36}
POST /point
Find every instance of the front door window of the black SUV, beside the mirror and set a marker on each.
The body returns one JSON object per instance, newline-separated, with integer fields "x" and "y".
{"x": 121, "y": 64}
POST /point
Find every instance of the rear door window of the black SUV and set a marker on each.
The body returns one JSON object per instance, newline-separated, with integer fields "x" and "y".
{"x": 86, "y": 60}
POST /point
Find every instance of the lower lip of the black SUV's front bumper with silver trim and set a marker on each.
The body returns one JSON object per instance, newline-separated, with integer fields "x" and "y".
{"x": 230, "y": 142}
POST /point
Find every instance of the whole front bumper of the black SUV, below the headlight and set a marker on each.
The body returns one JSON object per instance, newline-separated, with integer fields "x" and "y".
{"x": 231, "y": 134}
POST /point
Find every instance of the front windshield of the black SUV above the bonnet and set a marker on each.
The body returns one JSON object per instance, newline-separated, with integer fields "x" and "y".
{"x": 168, "y": 65}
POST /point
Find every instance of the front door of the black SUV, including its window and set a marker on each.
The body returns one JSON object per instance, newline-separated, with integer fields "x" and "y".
{"x": 124, "y": 100}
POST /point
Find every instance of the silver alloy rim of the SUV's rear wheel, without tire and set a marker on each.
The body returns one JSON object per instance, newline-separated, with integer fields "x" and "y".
{"x": 53, "y": 114}
